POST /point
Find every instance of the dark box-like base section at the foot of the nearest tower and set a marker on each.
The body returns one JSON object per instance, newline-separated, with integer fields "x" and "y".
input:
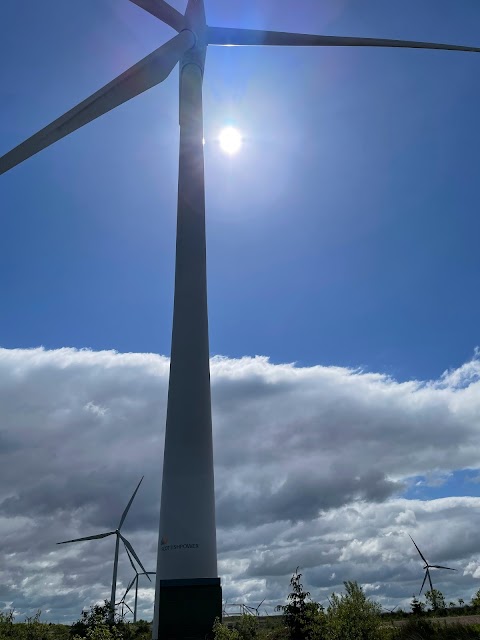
{"x": 188, "y": 608}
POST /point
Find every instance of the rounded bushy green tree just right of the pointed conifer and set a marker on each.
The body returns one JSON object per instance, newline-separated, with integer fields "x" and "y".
{"x": 352, "y": 616}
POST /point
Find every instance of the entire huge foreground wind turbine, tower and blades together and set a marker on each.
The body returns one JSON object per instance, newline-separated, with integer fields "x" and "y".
{"x": 187, "y": 579}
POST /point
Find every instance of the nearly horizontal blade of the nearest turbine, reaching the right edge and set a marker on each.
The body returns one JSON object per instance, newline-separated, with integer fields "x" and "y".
{"x": 229, "y": 36}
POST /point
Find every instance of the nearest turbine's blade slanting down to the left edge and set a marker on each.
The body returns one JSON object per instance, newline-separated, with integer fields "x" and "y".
{"x": 142, "y": 76}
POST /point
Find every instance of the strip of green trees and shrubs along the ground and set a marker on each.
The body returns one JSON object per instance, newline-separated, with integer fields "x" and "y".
{"x": 349, "y": 616}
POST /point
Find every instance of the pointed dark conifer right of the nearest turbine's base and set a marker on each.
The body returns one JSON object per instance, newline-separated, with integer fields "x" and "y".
{"x": 304, "y": 619}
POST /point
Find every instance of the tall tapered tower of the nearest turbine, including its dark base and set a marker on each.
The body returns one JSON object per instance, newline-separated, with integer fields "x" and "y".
{"x": 188, "y": 592}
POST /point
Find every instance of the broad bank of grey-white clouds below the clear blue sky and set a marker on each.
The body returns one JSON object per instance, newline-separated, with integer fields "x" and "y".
{"x": 311, "y": 469}
